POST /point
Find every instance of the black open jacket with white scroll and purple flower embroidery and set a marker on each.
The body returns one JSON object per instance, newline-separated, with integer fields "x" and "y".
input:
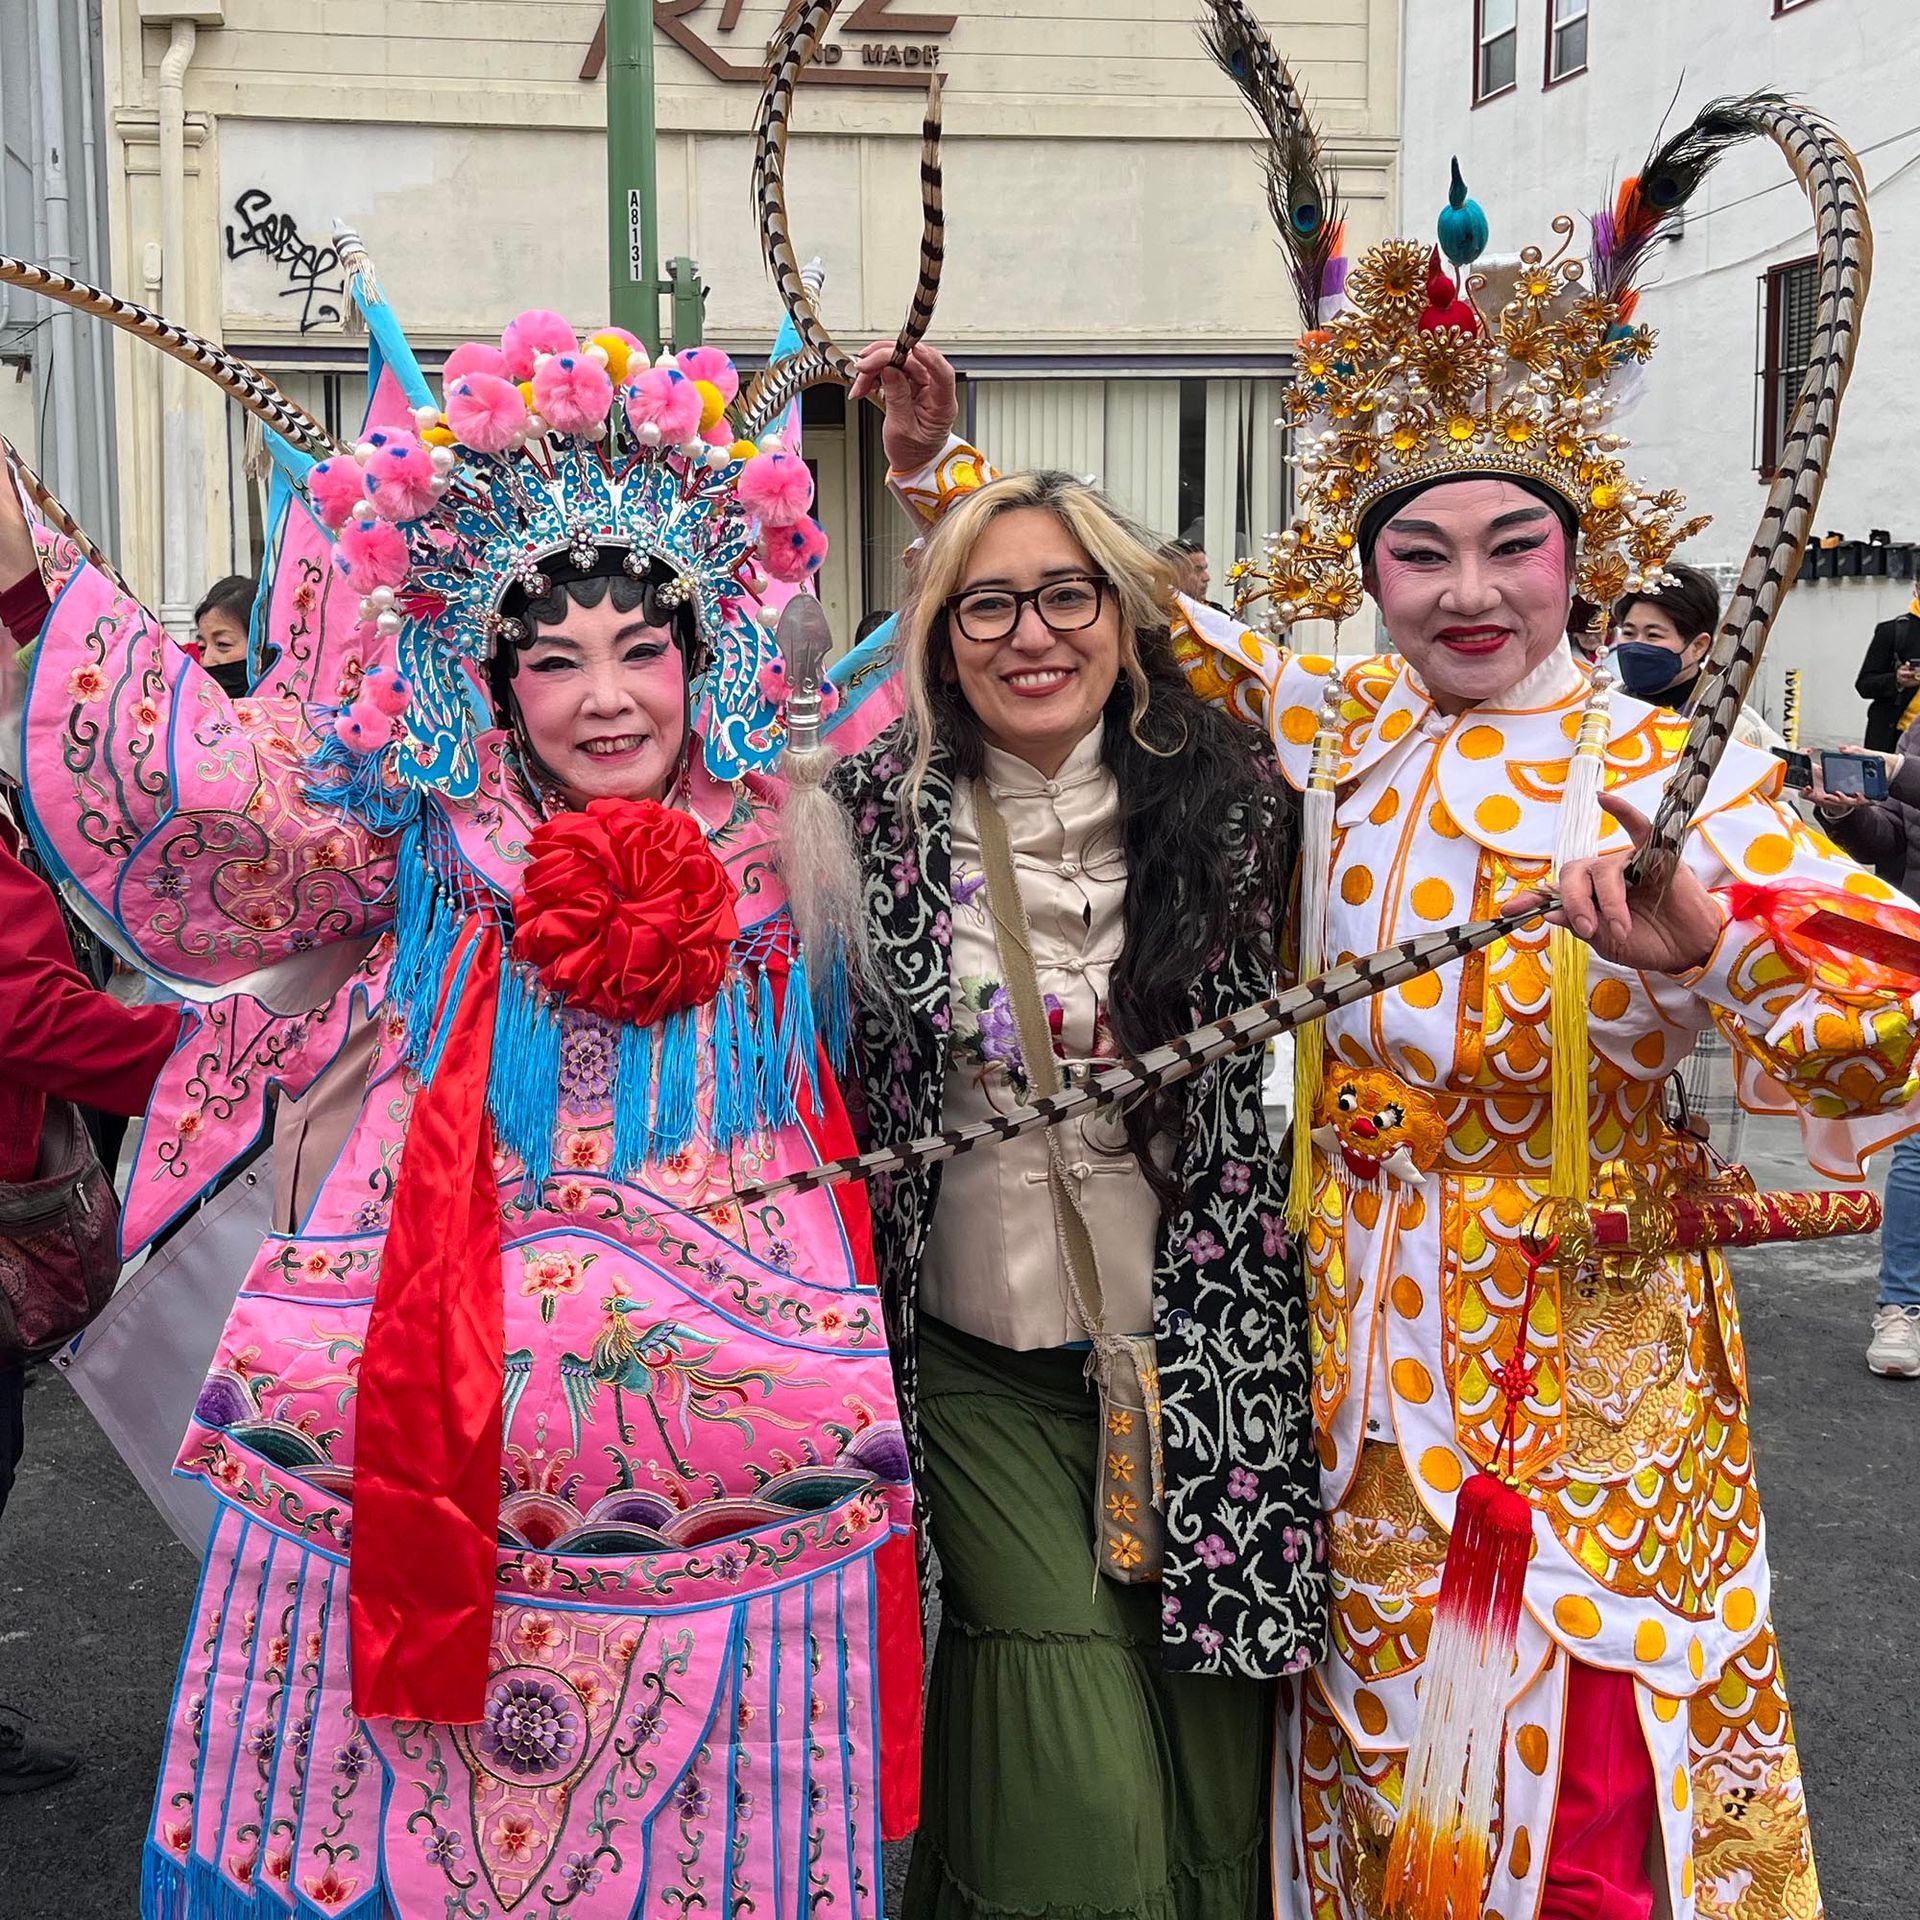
{"x": 1245, "y": 1589}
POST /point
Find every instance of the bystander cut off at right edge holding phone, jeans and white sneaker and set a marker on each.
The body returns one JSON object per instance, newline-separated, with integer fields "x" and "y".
{"x": 1886, "y": 836}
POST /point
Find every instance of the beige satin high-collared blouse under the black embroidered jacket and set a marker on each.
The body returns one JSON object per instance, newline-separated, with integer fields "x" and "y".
{"x": 994, "y": 1259}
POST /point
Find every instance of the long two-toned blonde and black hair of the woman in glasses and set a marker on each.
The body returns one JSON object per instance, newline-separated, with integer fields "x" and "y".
{"x": 1203, "y": 817}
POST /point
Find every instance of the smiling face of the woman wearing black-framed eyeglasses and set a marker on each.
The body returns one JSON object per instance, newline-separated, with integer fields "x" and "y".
{"x": 1038, "y": 692}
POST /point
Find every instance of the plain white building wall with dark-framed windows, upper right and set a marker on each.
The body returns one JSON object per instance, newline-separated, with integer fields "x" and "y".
{"x": 1552, "y": 103}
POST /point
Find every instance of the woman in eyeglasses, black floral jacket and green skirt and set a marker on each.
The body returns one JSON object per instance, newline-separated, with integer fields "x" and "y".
{"x": 1063, "y": 844}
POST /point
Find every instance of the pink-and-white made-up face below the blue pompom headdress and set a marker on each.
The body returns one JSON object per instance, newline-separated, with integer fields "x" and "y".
{"x": 604, "y": 700}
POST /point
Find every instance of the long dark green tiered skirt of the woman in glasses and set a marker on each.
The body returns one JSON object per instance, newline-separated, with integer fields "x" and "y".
{"x": 1067, "y": 1773}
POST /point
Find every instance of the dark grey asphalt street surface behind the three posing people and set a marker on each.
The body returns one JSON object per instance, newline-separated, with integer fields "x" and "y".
{"x": 95, "y": 1591}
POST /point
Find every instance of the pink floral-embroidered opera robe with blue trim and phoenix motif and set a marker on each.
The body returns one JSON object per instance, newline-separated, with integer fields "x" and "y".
{"x": 704, "y": 1566}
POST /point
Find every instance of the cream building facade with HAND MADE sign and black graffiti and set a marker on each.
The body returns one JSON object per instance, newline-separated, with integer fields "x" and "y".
{"x": 1113, "y": 295}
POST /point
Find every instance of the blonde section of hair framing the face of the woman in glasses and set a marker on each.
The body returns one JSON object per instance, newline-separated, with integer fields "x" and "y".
{"x": 1141, "y": 585}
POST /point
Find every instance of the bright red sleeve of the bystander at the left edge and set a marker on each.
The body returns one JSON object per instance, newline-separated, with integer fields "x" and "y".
{"x": 60, "y": 1034}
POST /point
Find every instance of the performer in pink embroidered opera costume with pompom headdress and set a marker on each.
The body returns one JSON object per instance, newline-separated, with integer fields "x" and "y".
{"x": 564, "y": 1550}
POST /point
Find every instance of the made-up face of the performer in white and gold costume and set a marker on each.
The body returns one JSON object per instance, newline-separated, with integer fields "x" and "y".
{"x": 1474, "y": 579}
